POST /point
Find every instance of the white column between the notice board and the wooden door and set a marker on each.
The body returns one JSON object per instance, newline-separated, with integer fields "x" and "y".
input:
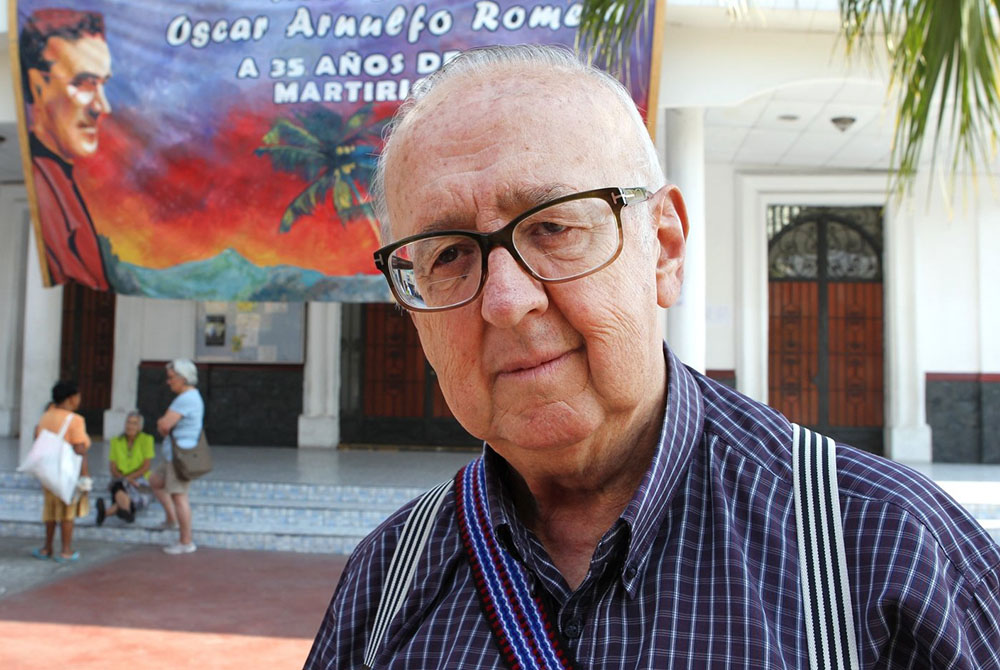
{"x": 319, "y": 424}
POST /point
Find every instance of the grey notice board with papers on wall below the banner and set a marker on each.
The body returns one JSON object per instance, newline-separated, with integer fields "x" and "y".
{"x": 250, "y": 332}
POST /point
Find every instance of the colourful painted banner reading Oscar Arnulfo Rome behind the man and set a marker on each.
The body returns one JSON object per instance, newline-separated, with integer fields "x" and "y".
{"x": 223, "y": 150}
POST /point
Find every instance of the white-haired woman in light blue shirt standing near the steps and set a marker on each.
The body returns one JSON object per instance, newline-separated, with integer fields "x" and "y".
{"x": 180, "y": 427}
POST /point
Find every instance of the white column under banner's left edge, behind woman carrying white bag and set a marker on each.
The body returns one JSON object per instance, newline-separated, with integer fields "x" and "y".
{"x": 42, "y": 339}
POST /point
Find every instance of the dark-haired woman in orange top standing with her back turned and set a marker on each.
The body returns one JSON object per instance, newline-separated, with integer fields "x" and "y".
{"x": 65, "y": 402}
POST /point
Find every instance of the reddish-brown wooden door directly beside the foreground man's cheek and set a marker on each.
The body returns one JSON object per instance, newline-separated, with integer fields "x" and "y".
{"x": 392, "y": 394}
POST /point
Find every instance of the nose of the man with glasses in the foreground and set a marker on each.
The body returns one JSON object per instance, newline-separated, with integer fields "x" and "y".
{"x": 509, "y": 293}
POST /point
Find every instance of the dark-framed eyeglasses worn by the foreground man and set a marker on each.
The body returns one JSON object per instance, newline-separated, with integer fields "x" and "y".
{"x": 558, "y": 241}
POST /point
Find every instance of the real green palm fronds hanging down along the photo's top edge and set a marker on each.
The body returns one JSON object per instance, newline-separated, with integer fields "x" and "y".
{"x": 944, "y": 58}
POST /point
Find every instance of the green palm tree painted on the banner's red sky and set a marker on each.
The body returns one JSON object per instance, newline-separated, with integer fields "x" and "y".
{"x": 336, "y": 157}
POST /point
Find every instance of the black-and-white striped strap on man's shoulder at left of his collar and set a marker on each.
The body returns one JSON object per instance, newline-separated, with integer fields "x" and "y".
{"x": 403, "y": 565}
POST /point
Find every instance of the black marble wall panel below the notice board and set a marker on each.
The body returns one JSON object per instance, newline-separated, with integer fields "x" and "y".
{"x": 247, "y": 405}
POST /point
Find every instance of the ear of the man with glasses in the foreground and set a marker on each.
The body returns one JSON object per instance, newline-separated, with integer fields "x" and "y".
{"x": 671, "y": 227}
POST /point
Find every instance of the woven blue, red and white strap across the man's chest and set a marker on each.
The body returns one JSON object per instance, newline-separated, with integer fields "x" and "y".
{"x": 520, "y": 624}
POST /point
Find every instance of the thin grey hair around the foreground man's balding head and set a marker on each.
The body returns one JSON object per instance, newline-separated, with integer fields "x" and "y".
{"x": 483, "y": 64}
